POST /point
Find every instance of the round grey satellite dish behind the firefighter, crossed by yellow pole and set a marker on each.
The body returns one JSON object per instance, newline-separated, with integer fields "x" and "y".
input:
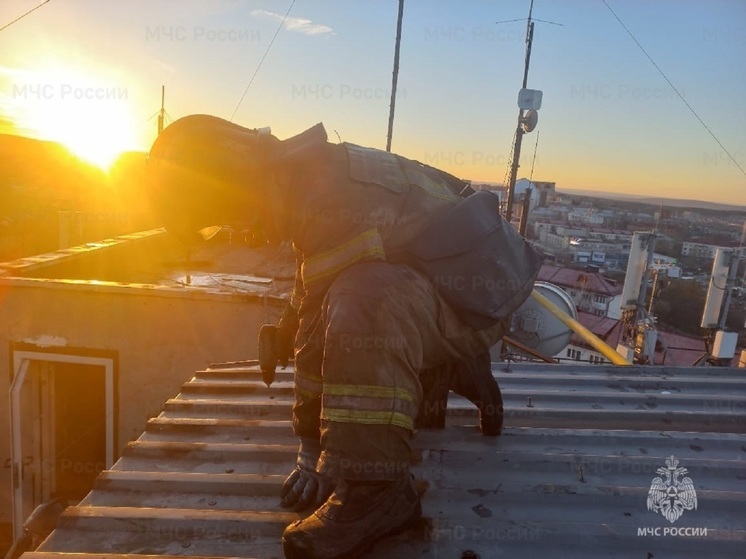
{"x": 537, "y": 328}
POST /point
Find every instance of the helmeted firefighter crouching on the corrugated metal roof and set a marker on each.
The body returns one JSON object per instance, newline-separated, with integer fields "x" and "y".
{"x": 369, "y": 332}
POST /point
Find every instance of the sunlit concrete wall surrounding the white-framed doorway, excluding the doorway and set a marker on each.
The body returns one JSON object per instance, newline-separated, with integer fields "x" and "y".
{"x": 155, "y": 334}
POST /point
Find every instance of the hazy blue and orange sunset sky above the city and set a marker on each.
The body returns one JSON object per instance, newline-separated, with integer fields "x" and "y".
{"x": 89, "y": 73}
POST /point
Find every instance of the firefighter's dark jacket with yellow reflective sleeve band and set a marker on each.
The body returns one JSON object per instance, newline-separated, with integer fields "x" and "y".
{"x": 347, "y": 204}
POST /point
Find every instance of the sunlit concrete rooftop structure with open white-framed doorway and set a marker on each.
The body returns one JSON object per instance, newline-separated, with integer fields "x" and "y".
{"x": 96, "y": 337}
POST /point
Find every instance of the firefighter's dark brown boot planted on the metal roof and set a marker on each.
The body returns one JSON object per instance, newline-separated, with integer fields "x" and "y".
{"x": 356, "y": 515}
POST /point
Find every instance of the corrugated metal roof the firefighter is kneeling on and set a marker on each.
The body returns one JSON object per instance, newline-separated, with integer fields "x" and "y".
{"x": 568, "y": 478}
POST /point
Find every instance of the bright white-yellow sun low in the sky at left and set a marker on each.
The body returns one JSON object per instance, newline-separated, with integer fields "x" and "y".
{"x": 91, "y": 118}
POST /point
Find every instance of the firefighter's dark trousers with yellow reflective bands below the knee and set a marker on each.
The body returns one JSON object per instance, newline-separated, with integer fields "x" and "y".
{"x": 358, "y": 361}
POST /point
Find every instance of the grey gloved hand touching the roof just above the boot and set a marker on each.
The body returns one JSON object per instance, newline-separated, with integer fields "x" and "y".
{"x": 305, "y": 486}
